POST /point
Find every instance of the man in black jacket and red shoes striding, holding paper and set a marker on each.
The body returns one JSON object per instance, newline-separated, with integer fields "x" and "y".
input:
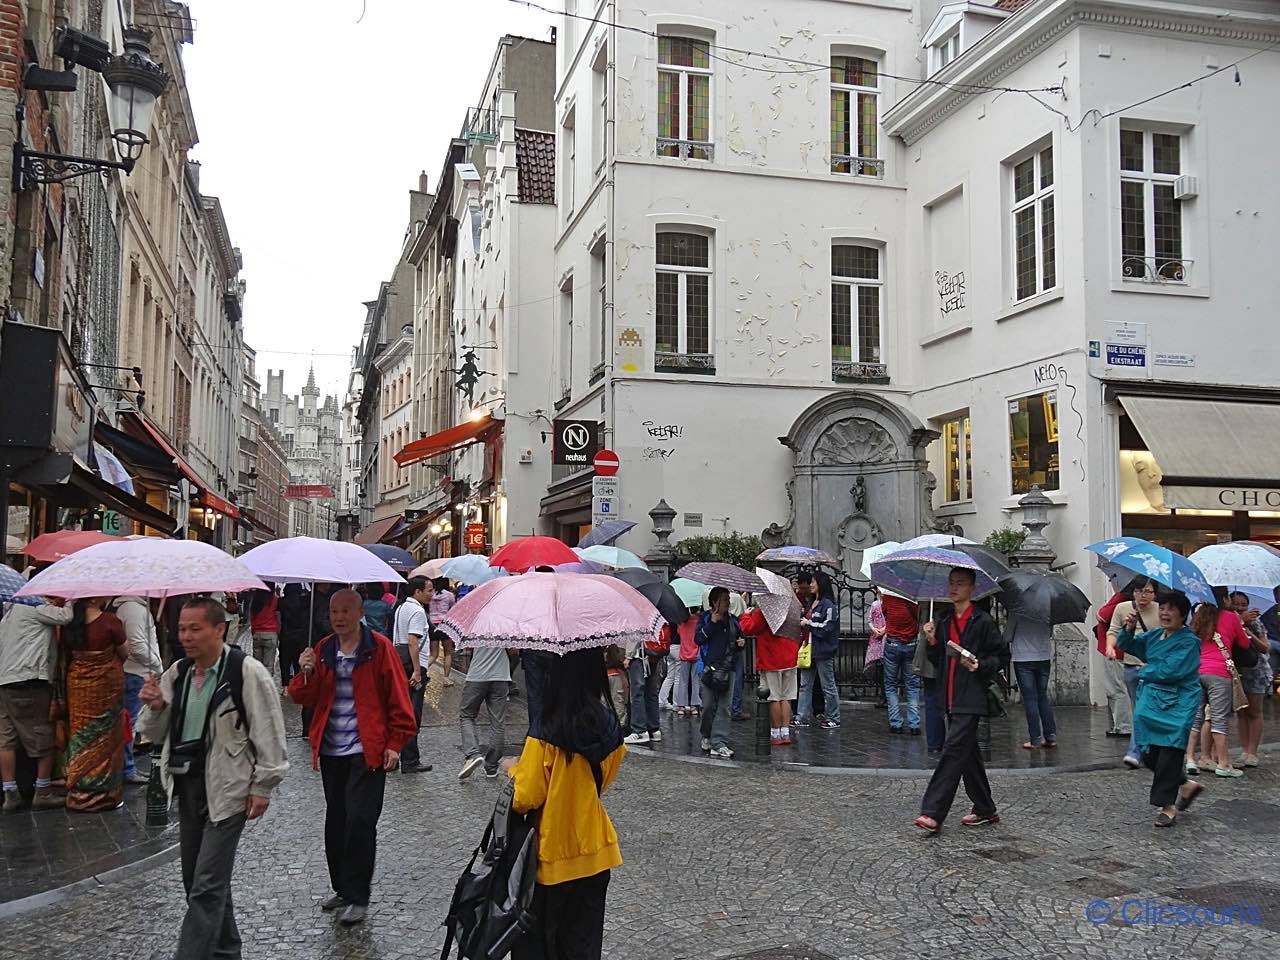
{"x": 963, "y": 683}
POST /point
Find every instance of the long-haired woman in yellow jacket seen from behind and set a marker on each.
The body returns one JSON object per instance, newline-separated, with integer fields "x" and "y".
{"x": 563, "y": 774}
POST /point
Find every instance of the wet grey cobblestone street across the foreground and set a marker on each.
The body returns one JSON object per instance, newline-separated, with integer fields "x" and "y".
{"x": 747, "y": 861}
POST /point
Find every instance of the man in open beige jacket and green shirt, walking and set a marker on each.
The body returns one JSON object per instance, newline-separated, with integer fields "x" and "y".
{"x": 223, "y": 758}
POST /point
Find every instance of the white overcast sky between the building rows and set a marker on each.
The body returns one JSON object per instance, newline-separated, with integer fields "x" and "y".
{"x": 313, "y": 130}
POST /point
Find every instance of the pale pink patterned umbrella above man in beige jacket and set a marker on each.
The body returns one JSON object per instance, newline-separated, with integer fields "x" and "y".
{"x": 145, "y": 568}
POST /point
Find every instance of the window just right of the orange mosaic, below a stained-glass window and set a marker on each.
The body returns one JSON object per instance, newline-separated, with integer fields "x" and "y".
{"x": 683, "y": 301}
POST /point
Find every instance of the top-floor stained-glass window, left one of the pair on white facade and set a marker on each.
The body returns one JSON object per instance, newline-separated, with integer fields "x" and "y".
{"x": 684, "y": 99}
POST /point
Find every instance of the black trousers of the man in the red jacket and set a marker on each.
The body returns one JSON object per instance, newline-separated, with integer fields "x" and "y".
{"x": 354, "y": 802}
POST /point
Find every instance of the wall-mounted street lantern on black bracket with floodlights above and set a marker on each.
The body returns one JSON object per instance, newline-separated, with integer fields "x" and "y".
{"x": 135, "y": 83}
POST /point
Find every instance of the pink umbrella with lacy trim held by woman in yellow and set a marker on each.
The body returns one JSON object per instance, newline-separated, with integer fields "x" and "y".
{"x": 554, "y": 612}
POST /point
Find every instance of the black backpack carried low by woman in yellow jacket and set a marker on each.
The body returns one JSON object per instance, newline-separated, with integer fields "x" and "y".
{"x": 493, "y": 898}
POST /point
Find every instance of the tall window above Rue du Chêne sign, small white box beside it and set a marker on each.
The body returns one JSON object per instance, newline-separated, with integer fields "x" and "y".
{"x": 1151, "y": 212}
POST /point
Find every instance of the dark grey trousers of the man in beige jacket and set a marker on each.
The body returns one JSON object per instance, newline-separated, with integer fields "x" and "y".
{"x": 208, "y": 861}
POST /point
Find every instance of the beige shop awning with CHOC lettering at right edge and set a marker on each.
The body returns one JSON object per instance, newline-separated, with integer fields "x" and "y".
{"x": 1213, "y": 454}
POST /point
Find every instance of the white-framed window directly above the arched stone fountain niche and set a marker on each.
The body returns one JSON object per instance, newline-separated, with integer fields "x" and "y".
{"x": 856, "y": 310}
